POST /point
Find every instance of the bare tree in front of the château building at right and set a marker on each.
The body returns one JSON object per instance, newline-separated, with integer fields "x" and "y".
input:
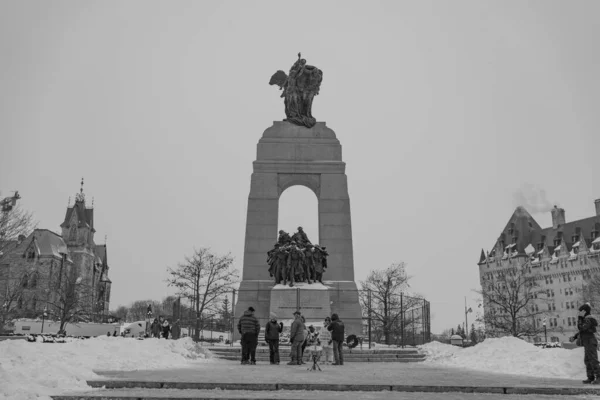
{"x": 512, "y": 299}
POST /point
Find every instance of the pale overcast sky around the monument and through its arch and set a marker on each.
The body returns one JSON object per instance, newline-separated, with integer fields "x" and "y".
{"x": 445, "y": 110}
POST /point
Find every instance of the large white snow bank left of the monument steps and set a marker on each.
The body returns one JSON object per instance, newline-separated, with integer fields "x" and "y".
{"x": 35, "y": 370}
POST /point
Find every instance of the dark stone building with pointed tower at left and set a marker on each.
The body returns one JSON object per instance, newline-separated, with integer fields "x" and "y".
{"x": 32, "y": 267}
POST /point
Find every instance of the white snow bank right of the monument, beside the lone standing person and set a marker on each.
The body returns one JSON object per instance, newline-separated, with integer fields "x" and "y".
{"x": 509, "y": 355}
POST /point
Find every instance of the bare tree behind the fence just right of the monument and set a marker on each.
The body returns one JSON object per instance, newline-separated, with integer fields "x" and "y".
{"x": 382, "y": 299}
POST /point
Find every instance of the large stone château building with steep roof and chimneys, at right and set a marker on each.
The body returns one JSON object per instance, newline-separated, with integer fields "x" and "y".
{"x": 561, "y": 256}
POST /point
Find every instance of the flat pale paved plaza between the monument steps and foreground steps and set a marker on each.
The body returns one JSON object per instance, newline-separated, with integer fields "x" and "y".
{"x": 223, "y": 371}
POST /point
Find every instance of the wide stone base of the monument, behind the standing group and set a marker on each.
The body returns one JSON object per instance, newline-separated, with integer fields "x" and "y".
{"x": 315, "y": 302}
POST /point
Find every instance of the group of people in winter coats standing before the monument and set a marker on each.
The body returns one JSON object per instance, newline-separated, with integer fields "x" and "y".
{"x": 330, "y": 338}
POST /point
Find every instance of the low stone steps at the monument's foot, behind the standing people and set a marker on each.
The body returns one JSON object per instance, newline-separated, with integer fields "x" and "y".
{"x": 354, "y": 355}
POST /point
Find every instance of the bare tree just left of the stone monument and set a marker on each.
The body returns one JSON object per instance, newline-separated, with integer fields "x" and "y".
{"x": 203, "y": 278}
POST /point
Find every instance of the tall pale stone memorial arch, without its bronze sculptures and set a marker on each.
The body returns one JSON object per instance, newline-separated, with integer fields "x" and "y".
{"x": 288, "y": 155}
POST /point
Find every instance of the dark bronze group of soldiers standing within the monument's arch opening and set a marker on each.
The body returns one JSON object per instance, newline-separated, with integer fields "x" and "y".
{"x": 296, "y": 259}
